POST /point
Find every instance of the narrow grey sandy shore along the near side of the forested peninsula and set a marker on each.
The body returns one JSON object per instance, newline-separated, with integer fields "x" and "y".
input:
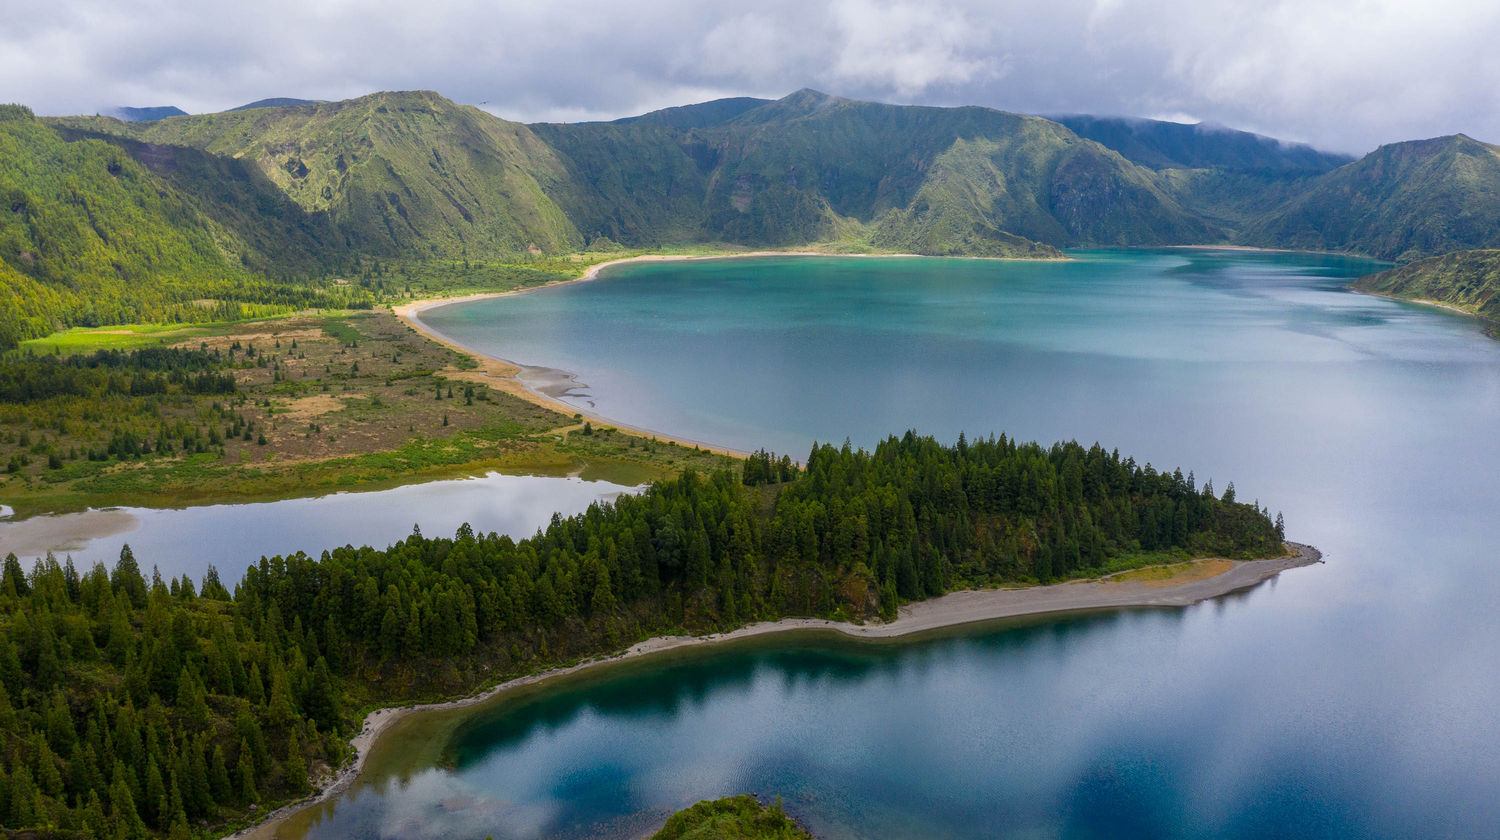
{"x": 950, "y": 611}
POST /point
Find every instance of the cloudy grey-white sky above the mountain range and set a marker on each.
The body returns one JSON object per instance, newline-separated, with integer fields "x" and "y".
{"x": 1340, "y": 74}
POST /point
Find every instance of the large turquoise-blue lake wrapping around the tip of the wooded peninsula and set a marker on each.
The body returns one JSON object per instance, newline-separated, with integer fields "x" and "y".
{"x": 1351, "y": 700}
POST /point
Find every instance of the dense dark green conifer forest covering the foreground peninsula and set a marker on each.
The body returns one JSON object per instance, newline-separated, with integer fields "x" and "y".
{"x": 136, "y": 707}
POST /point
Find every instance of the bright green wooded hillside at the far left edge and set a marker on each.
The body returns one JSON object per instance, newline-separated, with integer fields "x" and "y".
{"x": 95, "y": 238}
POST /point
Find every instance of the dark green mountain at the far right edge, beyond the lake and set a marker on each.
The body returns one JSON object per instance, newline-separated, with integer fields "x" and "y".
{"x": 1403, "y": 202}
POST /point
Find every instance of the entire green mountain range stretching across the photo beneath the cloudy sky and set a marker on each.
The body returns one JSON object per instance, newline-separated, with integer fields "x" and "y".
{"x": 142, "y": 220}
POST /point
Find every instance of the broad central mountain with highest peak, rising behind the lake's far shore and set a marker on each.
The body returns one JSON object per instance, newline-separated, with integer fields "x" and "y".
{"x": 814, "y": 169}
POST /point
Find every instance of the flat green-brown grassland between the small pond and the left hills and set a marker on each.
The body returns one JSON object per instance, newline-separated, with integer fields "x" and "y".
{"x": 325, "y": 403}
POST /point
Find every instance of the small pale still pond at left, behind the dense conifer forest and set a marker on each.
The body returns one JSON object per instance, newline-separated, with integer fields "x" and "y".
{"x": 233, "y": 536}
